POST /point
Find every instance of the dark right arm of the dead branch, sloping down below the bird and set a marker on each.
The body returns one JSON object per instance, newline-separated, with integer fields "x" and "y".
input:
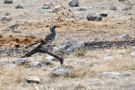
{"x": 43, "y": 50}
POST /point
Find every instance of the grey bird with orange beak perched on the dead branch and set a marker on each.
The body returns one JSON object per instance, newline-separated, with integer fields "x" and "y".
{"x": 49, "y": 38}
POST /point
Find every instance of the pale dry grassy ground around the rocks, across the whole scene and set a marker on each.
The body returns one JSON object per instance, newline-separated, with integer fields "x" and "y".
{"x": 33, "y": 21}
